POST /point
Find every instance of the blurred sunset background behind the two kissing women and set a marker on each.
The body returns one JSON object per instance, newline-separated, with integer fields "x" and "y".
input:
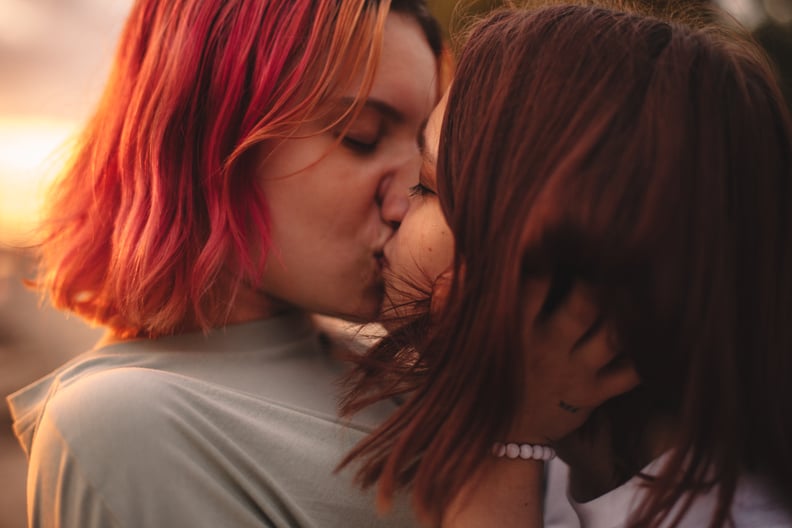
{"x": 54, "y": 57}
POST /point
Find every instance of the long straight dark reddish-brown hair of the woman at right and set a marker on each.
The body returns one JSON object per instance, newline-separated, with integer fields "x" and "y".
{"x": 652, "y": 160}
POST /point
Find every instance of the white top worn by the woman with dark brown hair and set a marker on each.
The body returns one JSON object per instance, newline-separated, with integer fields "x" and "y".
{"x": 754, "y": 506}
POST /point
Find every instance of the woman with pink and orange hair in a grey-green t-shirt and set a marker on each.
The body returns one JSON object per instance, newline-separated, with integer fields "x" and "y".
{"x": 245, "y": 167}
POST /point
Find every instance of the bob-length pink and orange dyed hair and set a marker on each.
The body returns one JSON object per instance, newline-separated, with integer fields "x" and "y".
{"x": 148, "y": 230}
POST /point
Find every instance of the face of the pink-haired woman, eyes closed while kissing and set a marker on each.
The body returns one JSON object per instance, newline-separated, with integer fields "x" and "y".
{"x": 333, "y": 207}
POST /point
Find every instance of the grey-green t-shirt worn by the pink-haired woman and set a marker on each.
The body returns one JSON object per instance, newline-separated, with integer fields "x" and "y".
{"x": 234, "y": 429}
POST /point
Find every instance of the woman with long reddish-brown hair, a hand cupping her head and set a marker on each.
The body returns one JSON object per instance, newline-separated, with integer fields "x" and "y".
{"x": 647, "y": 164}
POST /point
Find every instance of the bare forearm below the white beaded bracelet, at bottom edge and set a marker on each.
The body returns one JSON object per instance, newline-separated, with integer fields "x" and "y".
{"x": 505, "y": 492}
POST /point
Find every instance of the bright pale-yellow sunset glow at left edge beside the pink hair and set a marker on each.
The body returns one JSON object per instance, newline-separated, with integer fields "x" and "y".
{"x": 30, "y": 153}
